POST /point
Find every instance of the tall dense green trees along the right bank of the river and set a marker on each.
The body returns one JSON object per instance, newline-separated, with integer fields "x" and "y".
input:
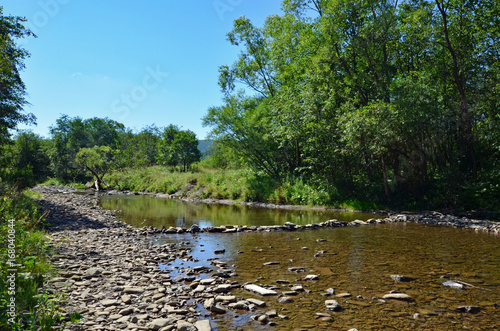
{"x": 395, "y": 102}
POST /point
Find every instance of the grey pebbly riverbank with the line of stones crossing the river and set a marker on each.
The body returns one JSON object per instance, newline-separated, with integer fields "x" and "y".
{"x": 110, "y": 272}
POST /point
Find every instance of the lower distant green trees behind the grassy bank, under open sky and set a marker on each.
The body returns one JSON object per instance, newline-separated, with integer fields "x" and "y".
{"x": 81, "y": 149}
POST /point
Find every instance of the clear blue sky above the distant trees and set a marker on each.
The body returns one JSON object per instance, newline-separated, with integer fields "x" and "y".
{"x": 136, "y": 62}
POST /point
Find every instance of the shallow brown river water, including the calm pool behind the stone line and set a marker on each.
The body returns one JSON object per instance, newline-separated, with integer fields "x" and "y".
{"x": 354, "y": 260}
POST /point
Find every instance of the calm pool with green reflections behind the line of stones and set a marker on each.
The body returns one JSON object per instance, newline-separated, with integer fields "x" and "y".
{"x": 158, "y": 212}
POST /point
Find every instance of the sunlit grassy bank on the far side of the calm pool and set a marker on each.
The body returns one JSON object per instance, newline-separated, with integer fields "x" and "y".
{"x": 233, "y": 184}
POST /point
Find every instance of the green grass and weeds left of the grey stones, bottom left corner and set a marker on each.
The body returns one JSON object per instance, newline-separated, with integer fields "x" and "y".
{"x": 25, "y": 304}
